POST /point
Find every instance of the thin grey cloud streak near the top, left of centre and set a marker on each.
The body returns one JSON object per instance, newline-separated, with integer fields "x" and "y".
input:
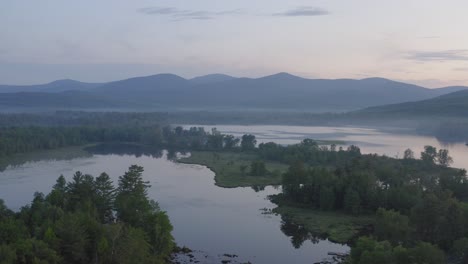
{"x": 181, "y": 14}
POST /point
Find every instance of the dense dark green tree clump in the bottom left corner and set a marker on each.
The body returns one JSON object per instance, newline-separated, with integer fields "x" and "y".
{"x": 88, "y": 220}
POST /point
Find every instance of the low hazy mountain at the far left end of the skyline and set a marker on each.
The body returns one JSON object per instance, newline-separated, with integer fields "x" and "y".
{"x": 55, "y": 86}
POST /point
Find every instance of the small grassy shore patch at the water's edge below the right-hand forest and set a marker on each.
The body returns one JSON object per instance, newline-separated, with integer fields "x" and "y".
{"x": 337, "y": 227}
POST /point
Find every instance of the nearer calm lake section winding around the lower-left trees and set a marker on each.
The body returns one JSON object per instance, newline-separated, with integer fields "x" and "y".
{"x": 205, "y": 217}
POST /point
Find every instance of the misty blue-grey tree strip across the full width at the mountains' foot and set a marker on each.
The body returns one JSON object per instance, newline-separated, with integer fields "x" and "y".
{"x": 444, "y": 129}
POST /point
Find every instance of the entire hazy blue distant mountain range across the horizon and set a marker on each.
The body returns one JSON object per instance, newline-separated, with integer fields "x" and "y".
{"x": 279, "y": 92}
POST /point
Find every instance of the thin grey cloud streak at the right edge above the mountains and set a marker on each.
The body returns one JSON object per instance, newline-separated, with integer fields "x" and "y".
{"x": 444, "y": 55}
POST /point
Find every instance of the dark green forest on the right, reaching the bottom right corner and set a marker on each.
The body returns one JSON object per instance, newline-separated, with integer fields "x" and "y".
{"x": 419, "y": 204}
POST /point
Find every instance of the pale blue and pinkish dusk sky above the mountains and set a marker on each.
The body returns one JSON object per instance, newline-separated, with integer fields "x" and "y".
{"x": 424, "y": 42}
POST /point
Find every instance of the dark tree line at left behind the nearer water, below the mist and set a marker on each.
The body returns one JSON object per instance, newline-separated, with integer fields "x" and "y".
{"x": 15, "y": 140}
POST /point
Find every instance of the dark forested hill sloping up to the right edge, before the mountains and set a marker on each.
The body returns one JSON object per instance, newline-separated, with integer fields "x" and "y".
{"x": 450, "y": 105}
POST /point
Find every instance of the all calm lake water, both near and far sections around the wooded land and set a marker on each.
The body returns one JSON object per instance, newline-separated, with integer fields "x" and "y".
{"x": 206, "y": 217}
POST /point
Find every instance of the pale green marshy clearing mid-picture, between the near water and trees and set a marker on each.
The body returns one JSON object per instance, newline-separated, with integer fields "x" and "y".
{"x": 227, "y": 167}
